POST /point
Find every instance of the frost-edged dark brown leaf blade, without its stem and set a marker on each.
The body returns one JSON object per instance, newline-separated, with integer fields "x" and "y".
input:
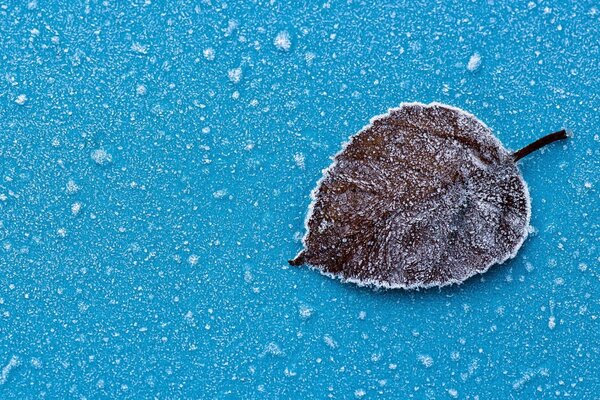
{"x": 424, "y": 196}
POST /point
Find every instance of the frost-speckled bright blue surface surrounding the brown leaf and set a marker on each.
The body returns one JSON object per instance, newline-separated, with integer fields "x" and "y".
{"x": 149, "y": 202}
